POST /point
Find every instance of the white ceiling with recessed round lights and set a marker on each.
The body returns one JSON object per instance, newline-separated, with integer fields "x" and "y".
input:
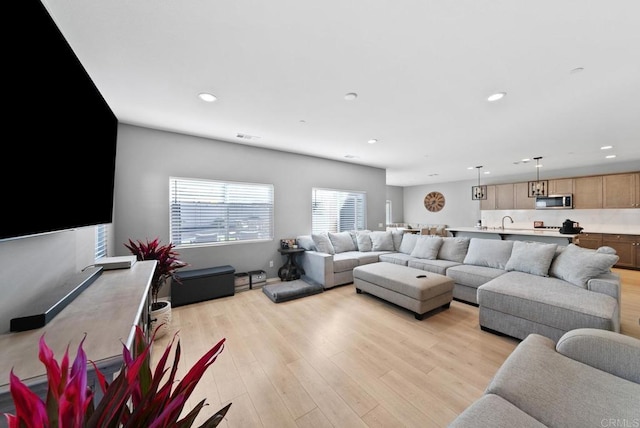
{"x": 422, "y": 70}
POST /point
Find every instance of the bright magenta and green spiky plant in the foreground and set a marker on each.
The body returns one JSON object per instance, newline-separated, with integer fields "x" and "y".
{"x": 136, "y": 398}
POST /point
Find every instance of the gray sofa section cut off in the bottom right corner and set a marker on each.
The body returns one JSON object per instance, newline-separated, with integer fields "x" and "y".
{"x": 589, "y": 378}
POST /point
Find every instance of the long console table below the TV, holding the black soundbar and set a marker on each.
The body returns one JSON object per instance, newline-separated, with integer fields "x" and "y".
{"x": 106, "y": 312}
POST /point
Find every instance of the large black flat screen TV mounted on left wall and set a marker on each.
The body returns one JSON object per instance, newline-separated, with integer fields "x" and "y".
{"x": 60, "y": 135}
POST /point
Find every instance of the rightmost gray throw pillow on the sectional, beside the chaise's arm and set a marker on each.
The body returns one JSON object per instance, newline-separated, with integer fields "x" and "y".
{"x": 578, "y": 265}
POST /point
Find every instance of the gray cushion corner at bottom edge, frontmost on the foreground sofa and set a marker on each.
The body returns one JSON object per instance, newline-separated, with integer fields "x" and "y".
{"x": 491, "y": 410}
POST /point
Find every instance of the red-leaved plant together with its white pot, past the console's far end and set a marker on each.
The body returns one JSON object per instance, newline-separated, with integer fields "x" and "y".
{"x": 168, "y": 262}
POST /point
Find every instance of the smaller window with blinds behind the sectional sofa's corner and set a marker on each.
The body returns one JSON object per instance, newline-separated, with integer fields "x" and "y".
{"x": 338, "y": 210}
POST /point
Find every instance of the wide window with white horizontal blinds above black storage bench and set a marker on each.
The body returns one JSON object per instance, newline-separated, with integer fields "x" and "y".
{"x": 219, "y": 212}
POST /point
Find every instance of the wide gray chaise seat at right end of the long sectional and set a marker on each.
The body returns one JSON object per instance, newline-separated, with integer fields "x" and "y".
{"x": 549, "y": 301}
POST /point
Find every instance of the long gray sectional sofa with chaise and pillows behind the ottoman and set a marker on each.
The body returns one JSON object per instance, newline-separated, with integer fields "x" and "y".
{"x": 520, "y": 287}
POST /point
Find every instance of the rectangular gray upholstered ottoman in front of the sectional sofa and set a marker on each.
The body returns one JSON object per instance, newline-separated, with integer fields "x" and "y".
{"x": 413, "y": 289}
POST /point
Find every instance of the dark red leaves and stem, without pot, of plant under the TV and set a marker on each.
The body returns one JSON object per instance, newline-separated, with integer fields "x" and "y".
{"x": 168, "y": 263}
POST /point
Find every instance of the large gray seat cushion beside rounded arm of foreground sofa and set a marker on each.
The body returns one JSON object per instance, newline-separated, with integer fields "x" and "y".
{"x": 559, "y": 391}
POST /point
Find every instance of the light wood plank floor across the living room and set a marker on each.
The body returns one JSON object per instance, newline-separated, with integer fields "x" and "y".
{"x": 341, "y": 359}
